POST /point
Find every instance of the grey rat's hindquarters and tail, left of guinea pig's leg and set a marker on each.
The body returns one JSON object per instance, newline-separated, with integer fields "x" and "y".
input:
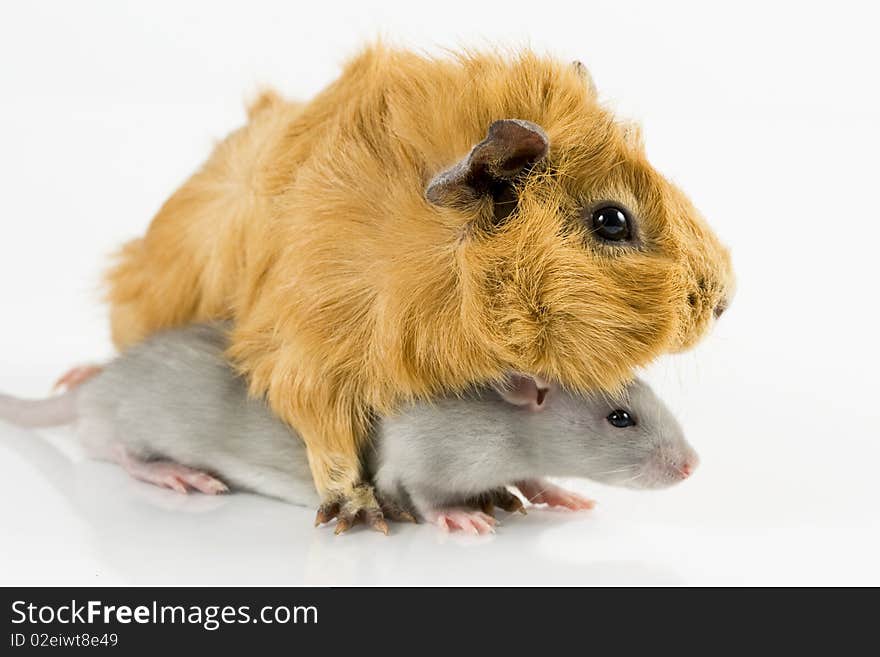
{"x": 170, "y": 411}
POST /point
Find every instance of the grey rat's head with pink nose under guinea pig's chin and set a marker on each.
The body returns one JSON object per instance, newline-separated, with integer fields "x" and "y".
{"x": 630, "y": 439}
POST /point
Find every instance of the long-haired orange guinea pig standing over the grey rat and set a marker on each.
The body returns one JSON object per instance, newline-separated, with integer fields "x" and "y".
{"x": 421, "y": 226}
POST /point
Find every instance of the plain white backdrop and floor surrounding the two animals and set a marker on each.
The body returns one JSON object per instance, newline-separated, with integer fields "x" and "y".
{"x": 766, "y": 114}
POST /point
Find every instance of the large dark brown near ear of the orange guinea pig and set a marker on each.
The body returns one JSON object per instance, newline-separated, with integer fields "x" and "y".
{"x": 511, "y": 147}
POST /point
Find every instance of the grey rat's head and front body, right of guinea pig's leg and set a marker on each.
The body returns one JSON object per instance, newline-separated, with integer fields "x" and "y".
{"x": 433, "y": 456}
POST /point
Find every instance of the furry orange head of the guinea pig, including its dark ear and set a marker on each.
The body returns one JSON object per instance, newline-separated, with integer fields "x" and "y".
{"x": 579, "y": 261}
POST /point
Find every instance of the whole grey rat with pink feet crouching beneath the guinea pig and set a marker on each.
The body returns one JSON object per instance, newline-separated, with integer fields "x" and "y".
{"x": 173, "y": 412}
